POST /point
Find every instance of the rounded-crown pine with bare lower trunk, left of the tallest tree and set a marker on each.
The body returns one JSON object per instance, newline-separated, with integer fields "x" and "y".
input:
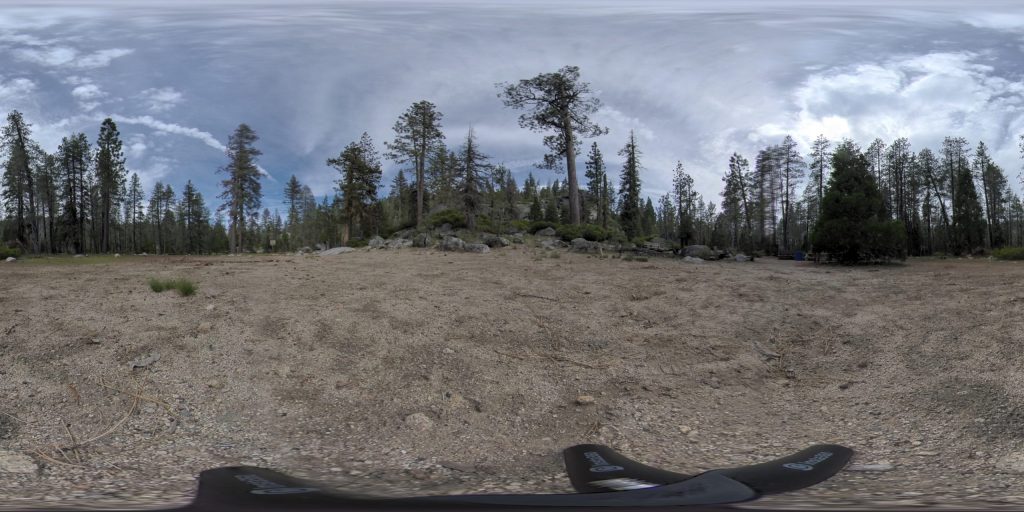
{"x": 417, "y": 134}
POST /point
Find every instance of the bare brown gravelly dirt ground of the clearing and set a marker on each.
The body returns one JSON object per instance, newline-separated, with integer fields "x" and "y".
{"x": 415, "y": 371}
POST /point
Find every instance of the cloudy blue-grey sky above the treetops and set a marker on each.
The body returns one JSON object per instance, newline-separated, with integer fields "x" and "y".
{"x": 696, "y": 81}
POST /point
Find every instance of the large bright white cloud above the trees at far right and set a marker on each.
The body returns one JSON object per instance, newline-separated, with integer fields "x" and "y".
{"x": 924, "y": 98}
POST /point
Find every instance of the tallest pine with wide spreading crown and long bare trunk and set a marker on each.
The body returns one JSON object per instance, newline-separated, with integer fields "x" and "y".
{"x": 560, "y": 103}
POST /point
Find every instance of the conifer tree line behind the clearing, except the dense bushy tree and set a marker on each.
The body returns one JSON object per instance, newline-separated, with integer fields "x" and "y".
{"x": 81, "y": 198}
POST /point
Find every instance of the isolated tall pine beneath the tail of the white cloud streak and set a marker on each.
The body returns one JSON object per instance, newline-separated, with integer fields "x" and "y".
{"x": 243, "y": 192}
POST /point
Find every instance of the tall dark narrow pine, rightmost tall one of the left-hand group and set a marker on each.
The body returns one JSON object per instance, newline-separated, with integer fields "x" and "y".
{"x": 110, "y": 179}
